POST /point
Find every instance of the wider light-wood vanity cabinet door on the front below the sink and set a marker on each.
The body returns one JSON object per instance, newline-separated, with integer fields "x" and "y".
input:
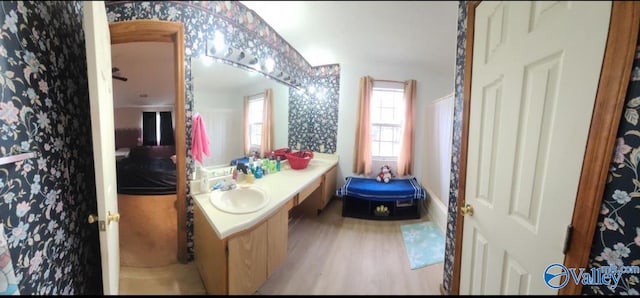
{"x": 248, "y": 261}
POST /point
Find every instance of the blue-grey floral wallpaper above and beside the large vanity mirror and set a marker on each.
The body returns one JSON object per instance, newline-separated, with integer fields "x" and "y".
{"x": 243, "y": 29}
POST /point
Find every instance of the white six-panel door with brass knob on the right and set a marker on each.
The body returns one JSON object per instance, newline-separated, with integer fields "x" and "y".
{"x": 536, "y": 67}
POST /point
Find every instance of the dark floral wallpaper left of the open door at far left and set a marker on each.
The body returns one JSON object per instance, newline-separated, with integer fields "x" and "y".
{"x": 44, "y": 108}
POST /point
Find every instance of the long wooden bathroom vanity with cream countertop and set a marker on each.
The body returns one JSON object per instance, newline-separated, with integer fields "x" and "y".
{"x": 236, "y": 253}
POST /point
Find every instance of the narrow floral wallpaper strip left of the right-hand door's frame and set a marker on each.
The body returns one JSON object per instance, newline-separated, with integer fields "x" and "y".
{"x": 455, "y": 147}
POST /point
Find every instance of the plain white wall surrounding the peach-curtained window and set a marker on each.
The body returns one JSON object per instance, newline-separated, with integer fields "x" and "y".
{"x": 430, "y": 86}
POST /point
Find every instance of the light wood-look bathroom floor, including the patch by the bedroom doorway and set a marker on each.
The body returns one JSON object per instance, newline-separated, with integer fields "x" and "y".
{"x": 328, "y": 255}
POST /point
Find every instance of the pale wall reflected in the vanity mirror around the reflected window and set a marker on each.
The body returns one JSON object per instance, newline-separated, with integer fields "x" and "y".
{"x": 218, "y": 91}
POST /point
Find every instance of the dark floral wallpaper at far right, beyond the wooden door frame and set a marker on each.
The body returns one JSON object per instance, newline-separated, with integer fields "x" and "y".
{"x": 617, "y": 238}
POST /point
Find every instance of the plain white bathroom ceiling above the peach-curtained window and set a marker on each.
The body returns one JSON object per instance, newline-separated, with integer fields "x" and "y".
{"x": 419, "y": 33}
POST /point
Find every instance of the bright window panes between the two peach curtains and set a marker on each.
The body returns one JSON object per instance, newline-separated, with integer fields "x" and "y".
{"x": 387, "y": 114}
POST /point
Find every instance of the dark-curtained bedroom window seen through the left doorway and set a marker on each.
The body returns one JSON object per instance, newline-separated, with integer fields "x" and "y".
{"x": 157, "y": 129}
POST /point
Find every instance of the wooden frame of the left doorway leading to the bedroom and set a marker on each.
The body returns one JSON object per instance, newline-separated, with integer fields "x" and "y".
{"x": 173, "y": 32}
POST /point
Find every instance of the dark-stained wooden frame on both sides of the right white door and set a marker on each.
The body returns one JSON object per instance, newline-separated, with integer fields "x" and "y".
{"x": 607, "y": 112}
